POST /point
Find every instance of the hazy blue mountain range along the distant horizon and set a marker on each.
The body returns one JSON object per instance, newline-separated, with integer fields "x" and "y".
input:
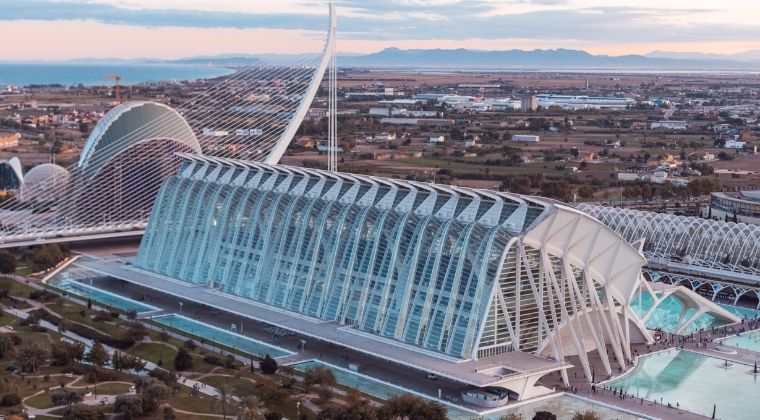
{"x": 465, "y": 59}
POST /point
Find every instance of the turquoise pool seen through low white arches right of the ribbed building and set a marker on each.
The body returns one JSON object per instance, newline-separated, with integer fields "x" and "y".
{"x": 665, "y": 316}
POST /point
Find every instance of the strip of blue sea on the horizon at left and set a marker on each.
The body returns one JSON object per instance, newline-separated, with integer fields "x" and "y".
{"x": 96, "y": 74}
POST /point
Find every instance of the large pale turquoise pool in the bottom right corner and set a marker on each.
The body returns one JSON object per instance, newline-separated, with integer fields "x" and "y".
{"x": 696, "y": 382}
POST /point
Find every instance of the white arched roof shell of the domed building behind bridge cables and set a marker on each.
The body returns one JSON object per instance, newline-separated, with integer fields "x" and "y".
{"x": 125, "y": 125}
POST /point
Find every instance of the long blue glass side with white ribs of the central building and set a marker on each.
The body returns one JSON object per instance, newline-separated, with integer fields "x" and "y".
{"x": 406, "y": 261}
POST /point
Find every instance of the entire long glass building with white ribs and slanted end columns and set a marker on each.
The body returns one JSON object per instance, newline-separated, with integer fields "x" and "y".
{"x": 459, "y": 272}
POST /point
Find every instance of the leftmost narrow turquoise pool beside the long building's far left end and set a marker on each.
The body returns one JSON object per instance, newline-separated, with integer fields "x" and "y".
{"x": 70, "y": 280}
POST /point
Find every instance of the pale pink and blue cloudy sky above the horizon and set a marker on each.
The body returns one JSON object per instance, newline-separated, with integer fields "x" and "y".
{"x": 67, "y": 29}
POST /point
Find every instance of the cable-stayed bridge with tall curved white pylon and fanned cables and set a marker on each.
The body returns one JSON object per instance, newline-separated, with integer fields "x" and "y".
{"x": 252, "y": 114}
